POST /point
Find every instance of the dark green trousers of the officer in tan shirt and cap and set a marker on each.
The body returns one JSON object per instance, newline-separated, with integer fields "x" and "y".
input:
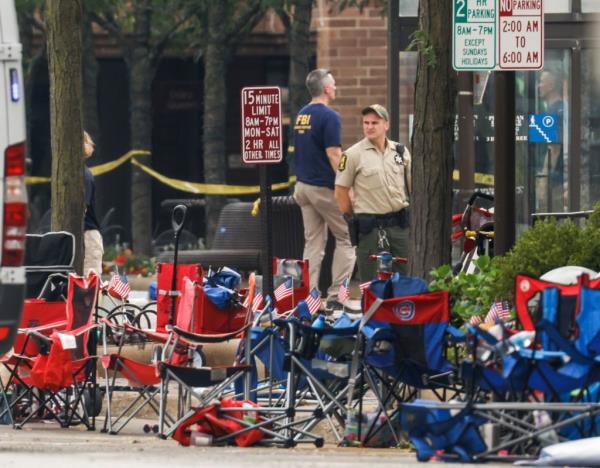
{"x": 368, "y": 245}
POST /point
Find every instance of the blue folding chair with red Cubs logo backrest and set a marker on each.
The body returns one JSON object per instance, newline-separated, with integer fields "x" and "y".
{"x": 403, "y": 344}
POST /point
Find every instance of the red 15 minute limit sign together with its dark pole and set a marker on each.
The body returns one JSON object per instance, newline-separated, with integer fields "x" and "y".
{"x": 262, "y": 144}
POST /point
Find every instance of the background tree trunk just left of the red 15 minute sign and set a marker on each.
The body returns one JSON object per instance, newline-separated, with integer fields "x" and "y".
{"x": 215, "y": 97}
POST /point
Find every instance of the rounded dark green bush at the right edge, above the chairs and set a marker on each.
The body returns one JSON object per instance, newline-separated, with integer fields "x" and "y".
{"x": 547, "y": 245}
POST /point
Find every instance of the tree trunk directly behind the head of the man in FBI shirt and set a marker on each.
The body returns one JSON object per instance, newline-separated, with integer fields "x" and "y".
{"x": 300, "y": 55}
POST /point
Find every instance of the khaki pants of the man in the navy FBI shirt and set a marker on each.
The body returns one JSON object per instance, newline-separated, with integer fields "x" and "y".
{"x": 319, "y": 212}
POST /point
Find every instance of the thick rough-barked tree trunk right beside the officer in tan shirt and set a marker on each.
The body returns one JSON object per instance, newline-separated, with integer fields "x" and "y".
{"x": 435, "y": 93}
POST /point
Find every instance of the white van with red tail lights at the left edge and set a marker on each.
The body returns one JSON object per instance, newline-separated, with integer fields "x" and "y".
{"x": 13, "y": 193}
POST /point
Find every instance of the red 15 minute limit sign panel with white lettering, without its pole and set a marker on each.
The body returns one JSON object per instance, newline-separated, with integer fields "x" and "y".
{"x": 261, "y": 125}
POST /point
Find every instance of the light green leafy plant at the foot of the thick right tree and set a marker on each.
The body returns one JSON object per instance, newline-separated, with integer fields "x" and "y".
{"x": 470, "y": 294}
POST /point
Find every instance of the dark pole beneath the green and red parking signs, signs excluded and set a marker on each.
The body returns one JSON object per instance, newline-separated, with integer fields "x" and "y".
{"x": 504, "y": 179}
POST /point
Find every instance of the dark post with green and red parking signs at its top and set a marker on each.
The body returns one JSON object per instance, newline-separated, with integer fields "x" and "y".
{"x": 500, "y": 35}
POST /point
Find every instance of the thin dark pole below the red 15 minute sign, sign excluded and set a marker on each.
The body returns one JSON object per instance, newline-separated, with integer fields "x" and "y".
{"x": 265, "y": 227}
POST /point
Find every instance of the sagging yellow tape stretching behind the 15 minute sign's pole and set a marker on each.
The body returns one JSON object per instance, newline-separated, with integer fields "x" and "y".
{"x": 209, "y": 189}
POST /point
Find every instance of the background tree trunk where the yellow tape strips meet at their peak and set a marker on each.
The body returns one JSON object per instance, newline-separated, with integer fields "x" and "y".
{"x": 141, "y": 73}
